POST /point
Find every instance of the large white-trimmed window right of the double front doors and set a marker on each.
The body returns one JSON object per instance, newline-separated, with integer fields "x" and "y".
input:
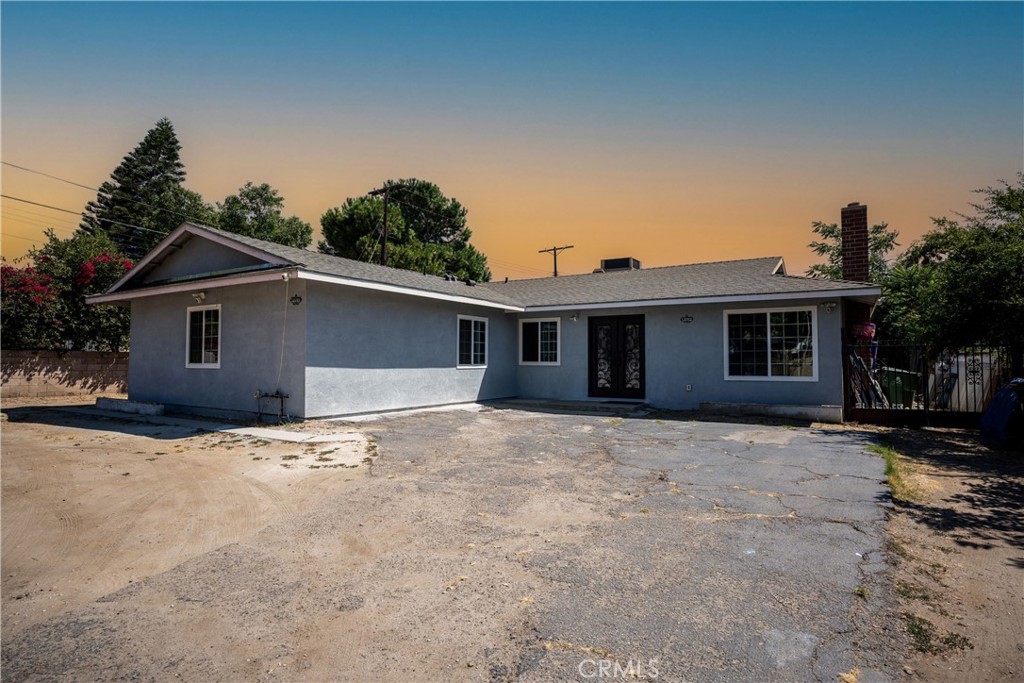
{"x": 773, "y": 345}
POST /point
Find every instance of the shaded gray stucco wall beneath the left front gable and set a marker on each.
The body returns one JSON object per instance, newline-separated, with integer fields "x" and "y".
{"x": 253, "y": 318}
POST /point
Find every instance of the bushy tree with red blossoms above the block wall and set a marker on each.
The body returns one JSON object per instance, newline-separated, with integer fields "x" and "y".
{"x": 65, "y": 272}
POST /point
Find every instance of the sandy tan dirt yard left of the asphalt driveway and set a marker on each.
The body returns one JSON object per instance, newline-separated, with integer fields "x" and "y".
{"x": 87, "y": 513}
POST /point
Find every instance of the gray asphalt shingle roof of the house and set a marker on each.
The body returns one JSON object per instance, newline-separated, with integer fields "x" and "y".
{"x": 720, "y": 279}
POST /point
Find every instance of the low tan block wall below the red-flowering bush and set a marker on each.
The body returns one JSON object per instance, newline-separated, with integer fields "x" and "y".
{"x": 54, "y": 374}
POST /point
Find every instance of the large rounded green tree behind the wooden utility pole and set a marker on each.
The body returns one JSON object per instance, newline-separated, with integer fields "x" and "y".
{"x": 428, "y": 232}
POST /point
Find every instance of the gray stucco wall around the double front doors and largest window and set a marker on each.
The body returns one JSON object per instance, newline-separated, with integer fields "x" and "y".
{"x": 679, "y": 354}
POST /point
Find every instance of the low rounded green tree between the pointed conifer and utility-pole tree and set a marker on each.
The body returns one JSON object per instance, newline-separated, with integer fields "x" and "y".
{"x": 257, "y": 211}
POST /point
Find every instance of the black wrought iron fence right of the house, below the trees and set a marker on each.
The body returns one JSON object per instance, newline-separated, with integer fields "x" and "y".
{"x": 903, "y": 377}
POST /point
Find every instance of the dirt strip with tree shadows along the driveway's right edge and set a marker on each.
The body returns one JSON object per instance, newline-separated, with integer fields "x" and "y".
{"x": 958, "y": 551}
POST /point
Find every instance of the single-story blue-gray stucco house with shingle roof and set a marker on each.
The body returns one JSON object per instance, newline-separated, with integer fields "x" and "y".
{"x": 233, "y": 326}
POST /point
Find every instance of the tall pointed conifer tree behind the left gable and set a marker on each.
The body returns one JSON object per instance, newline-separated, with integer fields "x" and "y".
{"x": 145, "y": 199}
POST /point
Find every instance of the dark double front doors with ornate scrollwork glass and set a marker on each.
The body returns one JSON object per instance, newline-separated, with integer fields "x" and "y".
{"x": 617, "y": 363}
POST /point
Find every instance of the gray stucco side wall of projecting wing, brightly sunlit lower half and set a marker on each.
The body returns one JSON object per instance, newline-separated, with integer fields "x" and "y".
{"x": 370, "y": 352}
